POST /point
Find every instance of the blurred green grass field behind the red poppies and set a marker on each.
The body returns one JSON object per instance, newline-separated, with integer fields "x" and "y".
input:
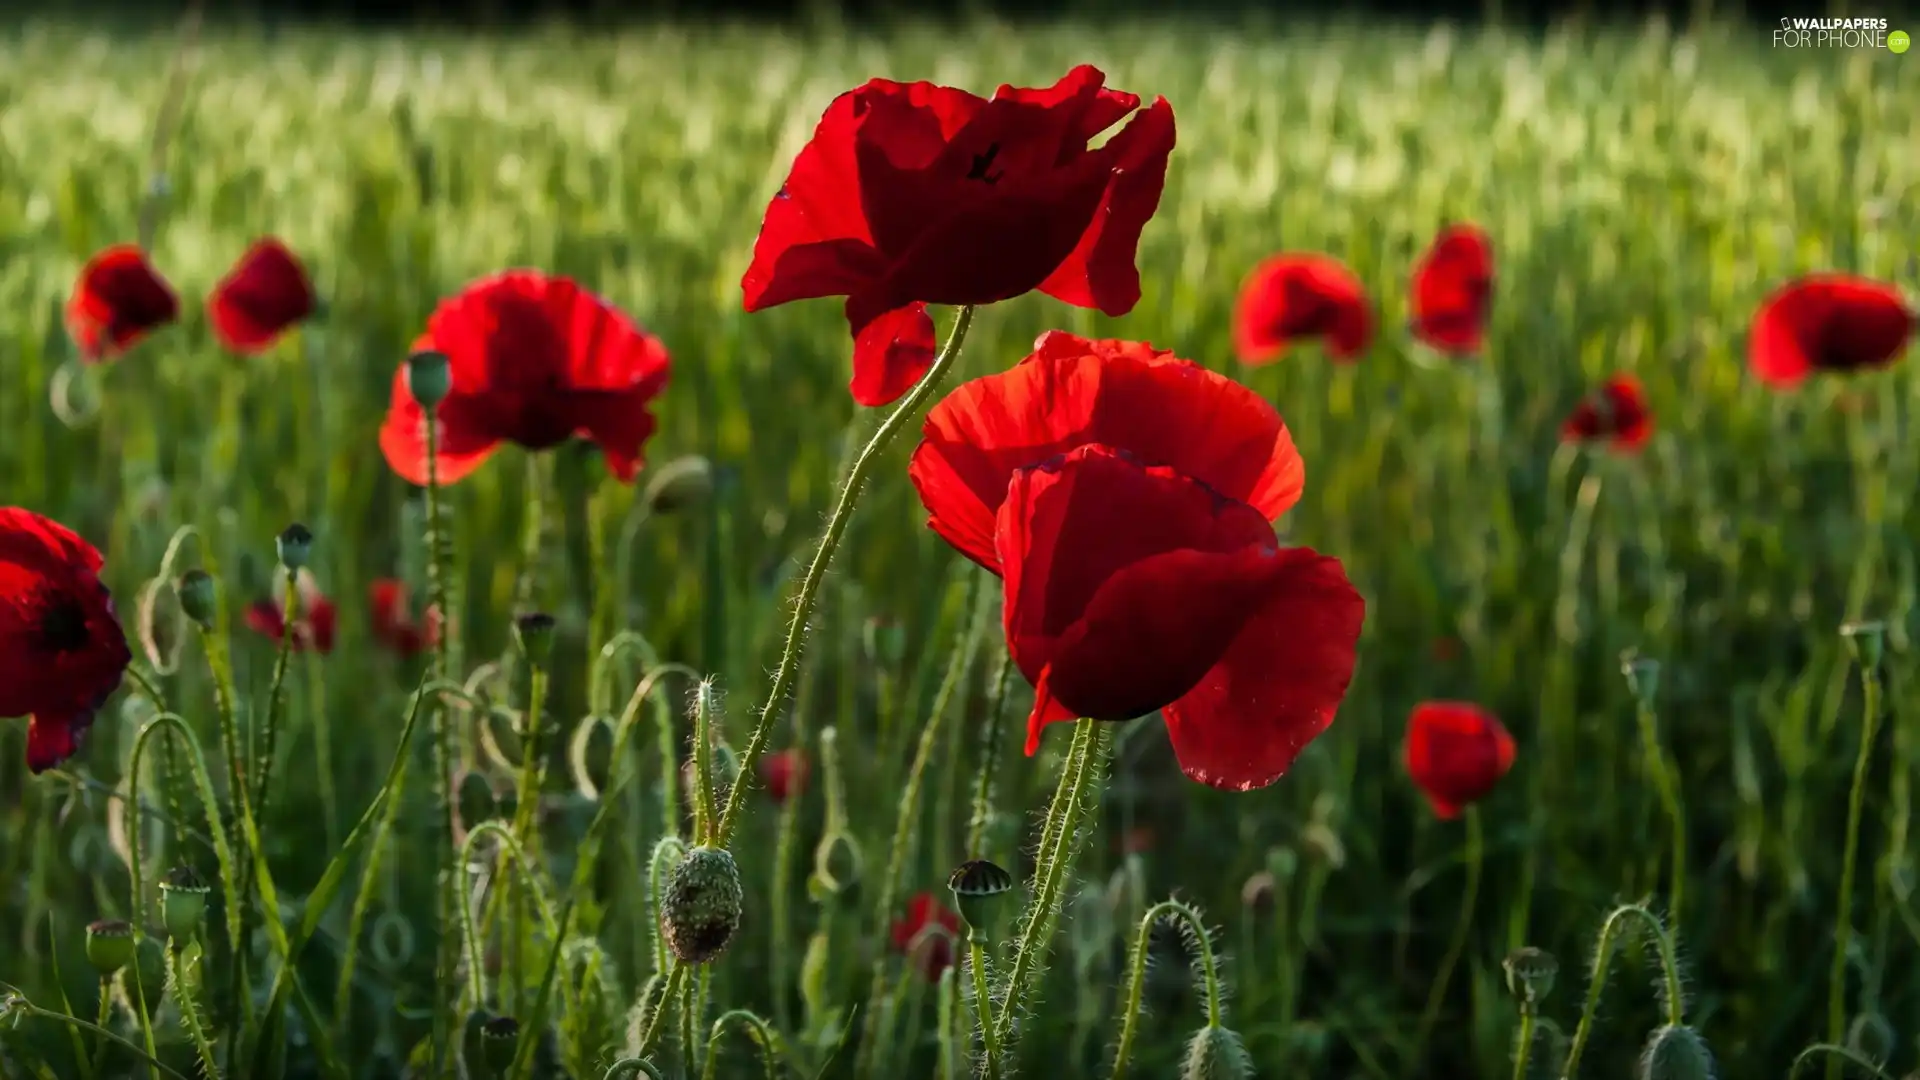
{"x": 1644, "y": 193}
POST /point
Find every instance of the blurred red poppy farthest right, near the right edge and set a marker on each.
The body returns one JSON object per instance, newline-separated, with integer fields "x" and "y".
{"x": 1829, "y": 322}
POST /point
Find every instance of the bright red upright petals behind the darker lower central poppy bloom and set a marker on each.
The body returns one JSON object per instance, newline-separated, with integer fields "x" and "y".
{"x": 1072, "y": 393}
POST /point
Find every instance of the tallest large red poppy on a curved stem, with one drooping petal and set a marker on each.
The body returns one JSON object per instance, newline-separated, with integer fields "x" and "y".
{"x": 913, "y": 195}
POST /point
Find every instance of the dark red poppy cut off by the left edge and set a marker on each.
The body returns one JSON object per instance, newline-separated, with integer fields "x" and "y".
{"x": 62, "y": 649}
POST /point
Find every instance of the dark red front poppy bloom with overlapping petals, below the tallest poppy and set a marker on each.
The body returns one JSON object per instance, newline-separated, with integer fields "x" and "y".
{"x": 1138, "y": 589}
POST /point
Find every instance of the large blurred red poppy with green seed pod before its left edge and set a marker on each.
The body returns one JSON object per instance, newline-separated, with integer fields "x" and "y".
{"x": 537, "y": 360}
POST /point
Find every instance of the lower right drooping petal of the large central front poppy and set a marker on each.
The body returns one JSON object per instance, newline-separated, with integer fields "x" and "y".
{"x": 1280, "y": 683}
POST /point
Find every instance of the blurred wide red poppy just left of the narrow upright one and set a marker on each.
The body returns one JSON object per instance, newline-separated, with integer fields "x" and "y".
{"x": 1303, "y": 297}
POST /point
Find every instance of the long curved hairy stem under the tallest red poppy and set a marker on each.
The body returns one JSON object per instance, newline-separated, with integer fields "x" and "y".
{"x": 817, "y": 572}
